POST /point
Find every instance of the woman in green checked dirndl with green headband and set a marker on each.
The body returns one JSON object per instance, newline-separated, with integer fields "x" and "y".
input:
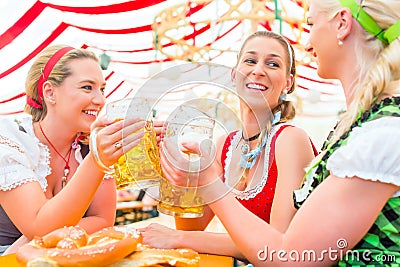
{"x": 349, "y": 201}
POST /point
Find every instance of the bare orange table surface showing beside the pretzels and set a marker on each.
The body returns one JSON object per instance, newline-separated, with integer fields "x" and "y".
{"x": 206, "y": 260}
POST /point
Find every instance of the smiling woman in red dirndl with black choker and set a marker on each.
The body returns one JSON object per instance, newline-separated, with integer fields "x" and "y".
{"x": 264, "y": 161}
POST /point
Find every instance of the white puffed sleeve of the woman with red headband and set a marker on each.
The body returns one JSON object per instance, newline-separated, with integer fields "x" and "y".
{"x": 22, "y": 159}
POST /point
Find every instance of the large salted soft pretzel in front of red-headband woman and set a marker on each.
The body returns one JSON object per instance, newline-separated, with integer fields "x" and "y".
{"x": 72, "y": 247}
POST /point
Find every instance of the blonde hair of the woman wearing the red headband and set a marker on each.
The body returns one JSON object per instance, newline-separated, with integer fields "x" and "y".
{"x": 59, "y": 73}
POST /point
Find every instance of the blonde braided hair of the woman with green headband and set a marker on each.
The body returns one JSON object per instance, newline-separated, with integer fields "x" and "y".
{"x": 377, "y": 77}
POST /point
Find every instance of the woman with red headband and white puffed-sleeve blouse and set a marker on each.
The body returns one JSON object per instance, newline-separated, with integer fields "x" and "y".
{"x": 46, "y": 179}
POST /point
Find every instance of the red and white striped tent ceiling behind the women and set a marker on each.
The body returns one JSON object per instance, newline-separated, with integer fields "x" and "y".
{"x": 138, "y": 39}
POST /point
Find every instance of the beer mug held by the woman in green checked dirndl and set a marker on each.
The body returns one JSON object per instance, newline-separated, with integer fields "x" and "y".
{"x": 187, "y": 125}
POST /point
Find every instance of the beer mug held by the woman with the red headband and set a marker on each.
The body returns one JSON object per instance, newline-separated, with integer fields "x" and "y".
{"x": 139, "y": 167}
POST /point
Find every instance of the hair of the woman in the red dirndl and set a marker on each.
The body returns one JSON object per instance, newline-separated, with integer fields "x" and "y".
{"x": 286, "y": 107}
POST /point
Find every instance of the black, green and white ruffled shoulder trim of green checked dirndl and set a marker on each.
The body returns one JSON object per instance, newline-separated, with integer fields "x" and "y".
{"x": 318, "y": 172}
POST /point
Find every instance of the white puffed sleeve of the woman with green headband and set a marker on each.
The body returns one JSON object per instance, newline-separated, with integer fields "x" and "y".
{"x": 372, "y": 152}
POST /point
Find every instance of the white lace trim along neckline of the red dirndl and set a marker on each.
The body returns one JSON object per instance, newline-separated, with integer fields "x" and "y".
{"x": 251, "y": 192}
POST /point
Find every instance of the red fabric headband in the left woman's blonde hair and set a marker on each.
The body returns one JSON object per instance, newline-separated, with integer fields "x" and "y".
{"x": 45, "y": 74}
